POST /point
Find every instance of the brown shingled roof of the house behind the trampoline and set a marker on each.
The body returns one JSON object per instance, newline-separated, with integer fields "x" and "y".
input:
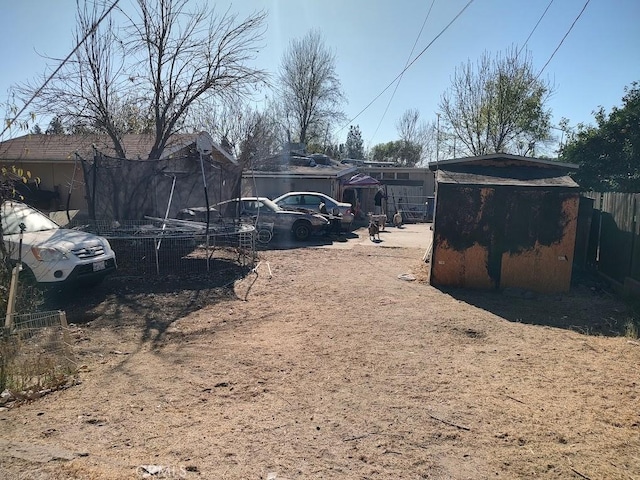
{"x": 63, "y": 148}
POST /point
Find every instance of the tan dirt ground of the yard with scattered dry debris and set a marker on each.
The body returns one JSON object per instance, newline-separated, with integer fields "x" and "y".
{"x": 332, "y": 363}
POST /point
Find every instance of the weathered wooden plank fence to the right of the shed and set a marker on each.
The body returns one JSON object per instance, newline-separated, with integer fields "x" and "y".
{"x": 613, "y": 243}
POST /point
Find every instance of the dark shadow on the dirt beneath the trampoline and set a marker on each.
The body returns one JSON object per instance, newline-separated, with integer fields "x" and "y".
{"x": 151, "y": 302}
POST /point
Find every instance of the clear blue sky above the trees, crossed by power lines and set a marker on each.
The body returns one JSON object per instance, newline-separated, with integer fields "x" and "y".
{"x": 373, "y": 39}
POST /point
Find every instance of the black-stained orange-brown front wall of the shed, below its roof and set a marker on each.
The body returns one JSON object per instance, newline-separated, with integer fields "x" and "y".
{"x": 501, "y": 237}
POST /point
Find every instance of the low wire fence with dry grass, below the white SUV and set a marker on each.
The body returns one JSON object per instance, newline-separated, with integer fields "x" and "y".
{"x": 35, "y": 352}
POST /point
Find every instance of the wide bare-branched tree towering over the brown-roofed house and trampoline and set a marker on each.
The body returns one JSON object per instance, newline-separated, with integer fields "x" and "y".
{"x": 148, "y": 73}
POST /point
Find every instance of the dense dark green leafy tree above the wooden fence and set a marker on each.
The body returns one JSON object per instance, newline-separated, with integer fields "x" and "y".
{"x": 609, "y": 153}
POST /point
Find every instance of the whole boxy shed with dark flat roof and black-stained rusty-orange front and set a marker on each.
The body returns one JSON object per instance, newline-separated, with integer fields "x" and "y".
{"x": 504, "y": 221}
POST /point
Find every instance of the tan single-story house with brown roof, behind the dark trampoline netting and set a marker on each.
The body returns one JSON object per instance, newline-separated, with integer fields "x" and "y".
{"x": 84, "y": 175}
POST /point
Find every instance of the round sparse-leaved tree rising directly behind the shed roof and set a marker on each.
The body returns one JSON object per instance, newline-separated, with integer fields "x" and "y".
{"x": 498, "y": 105}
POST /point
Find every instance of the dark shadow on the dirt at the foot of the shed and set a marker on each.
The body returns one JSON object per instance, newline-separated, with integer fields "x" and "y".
{"x": 590, "y": 307}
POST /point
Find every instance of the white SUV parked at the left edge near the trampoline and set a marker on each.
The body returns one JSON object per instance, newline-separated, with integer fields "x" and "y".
{"x": 54, "y": 255}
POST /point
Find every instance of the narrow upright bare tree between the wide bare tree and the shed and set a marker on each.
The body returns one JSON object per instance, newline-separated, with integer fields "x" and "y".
{"x": 311, "y": 93}
